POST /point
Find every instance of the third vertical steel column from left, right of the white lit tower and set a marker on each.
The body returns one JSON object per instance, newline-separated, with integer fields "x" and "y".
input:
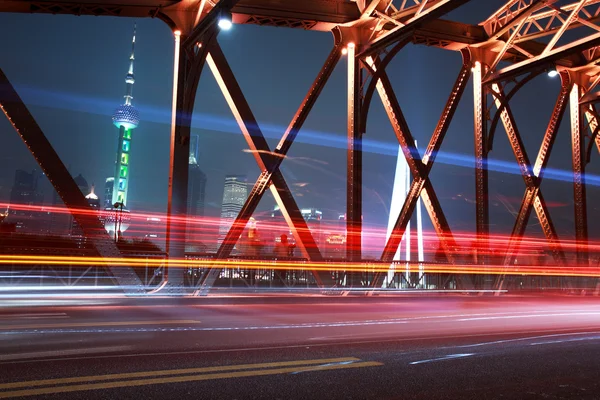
{"x": 482, "y": 213}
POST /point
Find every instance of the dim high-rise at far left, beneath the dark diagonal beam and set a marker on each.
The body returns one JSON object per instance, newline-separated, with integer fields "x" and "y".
{"x": 23, "y": 196}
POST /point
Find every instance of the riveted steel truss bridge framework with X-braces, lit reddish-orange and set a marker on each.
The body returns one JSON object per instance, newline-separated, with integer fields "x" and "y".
{"x": 519, "y": 41}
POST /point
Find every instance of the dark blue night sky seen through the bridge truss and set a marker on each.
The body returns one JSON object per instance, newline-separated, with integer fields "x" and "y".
{"x": 70, "y": 71}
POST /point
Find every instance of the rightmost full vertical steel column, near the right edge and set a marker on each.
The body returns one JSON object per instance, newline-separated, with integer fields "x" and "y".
{"x": 579, "y": 193}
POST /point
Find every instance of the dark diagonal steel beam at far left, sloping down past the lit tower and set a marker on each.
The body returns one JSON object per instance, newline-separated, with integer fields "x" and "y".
{"x": 32, "y": 135}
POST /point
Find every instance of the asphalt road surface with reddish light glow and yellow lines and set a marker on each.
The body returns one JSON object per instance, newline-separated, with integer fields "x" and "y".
{"x": 465, "y": 347}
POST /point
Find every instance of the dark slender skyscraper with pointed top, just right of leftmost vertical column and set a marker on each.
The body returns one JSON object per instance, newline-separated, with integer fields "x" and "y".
{"x": 196, "y": 196}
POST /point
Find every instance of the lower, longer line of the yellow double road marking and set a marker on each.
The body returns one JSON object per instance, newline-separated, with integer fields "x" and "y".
{"x": 180, "y": 379}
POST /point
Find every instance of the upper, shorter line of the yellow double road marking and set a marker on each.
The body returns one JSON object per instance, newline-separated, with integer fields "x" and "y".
{"x": 145, "y": 374}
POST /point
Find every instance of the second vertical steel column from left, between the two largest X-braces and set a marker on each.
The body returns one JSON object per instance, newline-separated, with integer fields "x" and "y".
{"x": 354, "y": 165}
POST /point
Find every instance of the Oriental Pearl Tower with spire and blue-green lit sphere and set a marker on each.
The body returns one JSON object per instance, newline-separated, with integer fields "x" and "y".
{"x": 126, "y": 118}
